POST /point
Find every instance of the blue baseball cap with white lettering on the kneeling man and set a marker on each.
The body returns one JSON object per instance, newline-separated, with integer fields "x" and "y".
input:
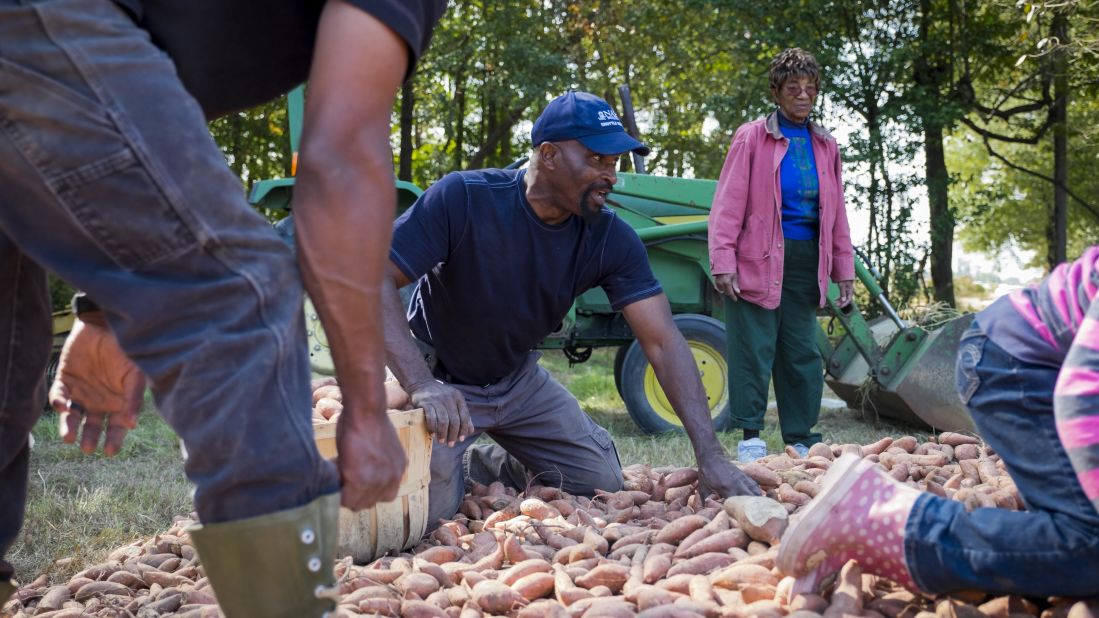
{"x": 589, "y": 119}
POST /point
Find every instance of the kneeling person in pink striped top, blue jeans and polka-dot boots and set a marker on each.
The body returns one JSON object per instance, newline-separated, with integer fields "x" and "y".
{"x": 1028, "y": 370}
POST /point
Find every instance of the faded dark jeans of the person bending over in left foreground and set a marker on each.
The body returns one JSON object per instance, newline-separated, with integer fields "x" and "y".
{"x": 112, "y": 181}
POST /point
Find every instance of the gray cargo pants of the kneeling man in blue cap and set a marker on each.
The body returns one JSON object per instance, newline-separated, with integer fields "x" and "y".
{"x": 542, "y": 437}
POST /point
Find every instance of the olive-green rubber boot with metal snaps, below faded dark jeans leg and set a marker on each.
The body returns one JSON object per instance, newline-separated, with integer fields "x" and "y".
{"x": 276, "y": 565}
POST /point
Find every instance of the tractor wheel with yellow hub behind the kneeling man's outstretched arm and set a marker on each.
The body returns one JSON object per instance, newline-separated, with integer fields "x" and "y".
{"x": 645, "y": 399}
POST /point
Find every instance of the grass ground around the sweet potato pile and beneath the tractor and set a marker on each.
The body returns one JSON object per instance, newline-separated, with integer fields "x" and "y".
{"x": 81, "y": 507}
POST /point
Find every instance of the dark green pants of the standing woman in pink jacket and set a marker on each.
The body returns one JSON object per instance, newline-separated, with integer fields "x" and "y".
{"x": 781, "y": 345}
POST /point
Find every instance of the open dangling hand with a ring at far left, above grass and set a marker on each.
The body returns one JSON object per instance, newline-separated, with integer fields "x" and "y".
{"x": 97, "y": 388}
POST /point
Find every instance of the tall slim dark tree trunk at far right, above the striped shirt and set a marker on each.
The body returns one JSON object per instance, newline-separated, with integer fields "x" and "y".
{"x": 1059, "y": 233}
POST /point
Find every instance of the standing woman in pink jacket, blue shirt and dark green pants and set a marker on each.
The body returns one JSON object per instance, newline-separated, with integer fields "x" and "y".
{"x": 779, "y": 233}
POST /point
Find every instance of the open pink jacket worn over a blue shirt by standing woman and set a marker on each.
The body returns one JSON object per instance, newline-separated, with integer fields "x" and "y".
{"x": 746, "y": 219}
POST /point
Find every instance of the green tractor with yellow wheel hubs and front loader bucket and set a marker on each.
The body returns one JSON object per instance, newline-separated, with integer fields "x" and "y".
{"x": 900, "y": 370}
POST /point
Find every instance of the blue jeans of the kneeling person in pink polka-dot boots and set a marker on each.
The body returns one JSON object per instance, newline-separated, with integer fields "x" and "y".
{"x": 1050, "y": 550}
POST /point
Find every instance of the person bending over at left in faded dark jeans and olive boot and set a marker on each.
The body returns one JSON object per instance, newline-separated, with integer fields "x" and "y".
{"x": 113, "y": 182}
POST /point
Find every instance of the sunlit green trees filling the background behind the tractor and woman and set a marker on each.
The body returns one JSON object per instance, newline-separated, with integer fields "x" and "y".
{"x": 956, "y": 118}
